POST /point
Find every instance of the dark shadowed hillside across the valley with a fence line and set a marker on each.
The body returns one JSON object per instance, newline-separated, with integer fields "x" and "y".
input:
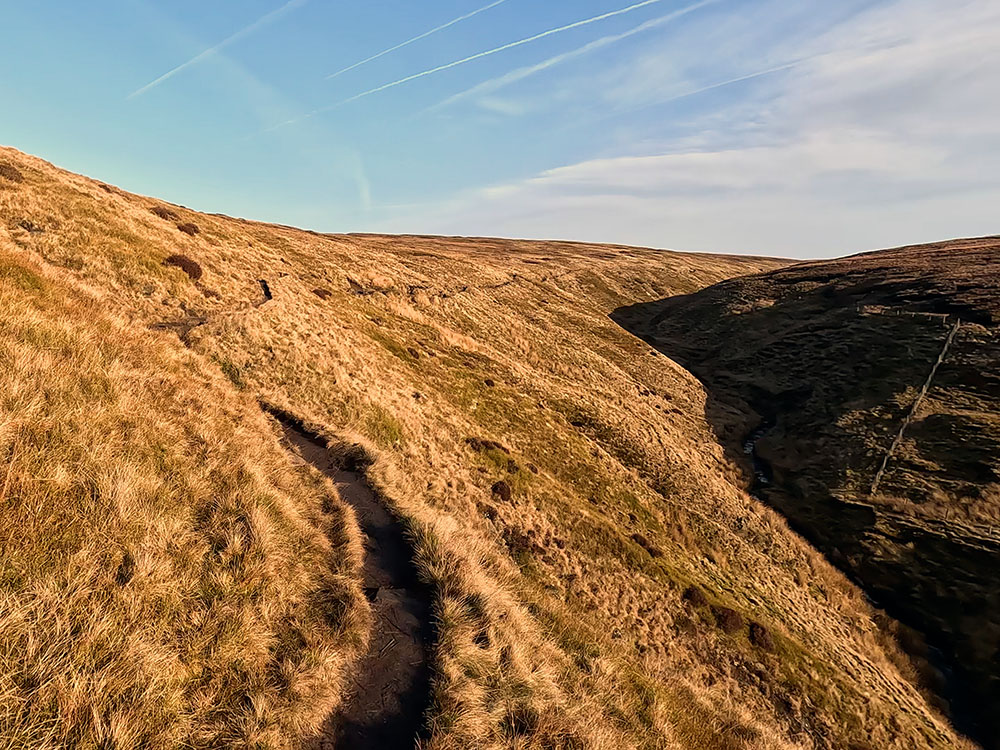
{"x": 870, "y": 389}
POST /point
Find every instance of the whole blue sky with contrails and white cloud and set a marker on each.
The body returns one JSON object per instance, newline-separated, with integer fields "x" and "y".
{"x": 800, "y": 128}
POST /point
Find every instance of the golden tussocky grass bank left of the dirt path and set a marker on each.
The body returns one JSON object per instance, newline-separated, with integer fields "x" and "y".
{"x": 165, "y": 578}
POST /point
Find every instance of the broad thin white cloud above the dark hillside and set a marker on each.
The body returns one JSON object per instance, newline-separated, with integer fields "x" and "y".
{"x": 883, "y": 133}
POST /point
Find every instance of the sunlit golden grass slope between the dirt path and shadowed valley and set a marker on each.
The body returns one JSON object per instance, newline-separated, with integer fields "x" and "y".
{"x": 561, "y": 614}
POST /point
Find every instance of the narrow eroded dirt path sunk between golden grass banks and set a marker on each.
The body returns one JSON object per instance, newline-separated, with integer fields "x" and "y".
{"x": 385, "y": 703}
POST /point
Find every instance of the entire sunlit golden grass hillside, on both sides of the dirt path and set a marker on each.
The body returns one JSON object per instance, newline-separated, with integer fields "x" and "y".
{"x": 596, "y": 573}
